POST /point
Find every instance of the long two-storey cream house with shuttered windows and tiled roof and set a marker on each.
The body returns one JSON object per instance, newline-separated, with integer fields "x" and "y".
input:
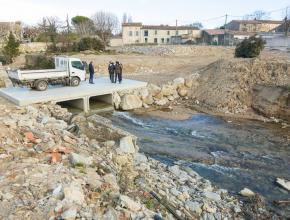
{"x": 137, "y": 33}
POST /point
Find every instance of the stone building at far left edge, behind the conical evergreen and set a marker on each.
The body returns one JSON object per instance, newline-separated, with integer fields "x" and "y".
{"x": 7, "y": 27}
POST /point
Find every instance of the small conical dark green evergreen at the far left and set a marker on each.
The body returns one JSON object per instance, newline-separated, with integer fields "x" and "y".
{"x": 11, "y": 49}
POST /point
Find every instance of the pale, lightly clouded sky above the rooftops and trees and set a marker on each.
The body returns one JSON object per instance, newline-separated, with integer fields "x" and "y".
{"x": 146, "y": 11}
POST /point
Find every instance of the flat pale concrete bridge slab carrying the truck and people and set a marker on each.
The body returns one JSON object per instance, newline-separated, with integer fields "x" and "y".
{"x": 79, "y": 97}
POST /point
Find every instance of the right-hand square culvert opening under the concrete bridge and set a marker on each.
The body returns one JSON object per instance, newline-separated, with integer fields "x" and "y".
{"x": 101, "y": 103}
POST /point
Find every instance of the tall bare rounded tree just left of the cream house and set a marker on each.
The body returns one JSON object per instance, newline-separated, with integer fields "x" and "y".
{"x": 105, "y": 24}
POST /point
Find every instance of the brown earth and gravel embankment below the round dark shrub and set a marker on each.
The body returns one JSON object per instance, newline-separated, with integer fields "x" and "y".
{"x": 226, "y": 86}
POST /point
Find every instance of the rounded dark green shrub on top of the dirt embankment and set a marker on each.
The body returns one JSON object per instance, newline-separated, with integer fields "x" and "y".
{"x": 250, "y": 48}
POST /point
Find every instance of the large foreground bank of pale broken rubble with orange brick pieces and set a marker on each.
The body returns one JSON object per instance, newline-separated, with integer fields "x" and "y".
{"x": 50, "y": 170}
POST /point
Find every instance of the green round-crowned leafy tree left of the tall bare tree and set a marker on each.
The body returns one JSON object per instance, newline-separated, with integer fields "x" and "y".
{"x": 83, "y": 25}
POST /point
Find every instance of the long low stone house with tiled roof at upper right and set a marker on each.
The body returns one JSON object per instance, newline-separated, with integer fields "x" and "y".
{"x": 253, "y": 25}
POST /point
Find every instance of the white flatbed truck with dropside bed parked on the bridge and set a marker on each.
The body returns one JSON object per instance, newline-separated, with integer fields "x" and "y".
{"x": 68, "y": 71}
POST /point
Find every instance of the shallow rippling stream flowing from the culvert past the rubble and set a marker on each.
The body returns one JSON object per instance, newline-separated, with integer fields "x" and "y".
{"x": 231, "y": 154}
